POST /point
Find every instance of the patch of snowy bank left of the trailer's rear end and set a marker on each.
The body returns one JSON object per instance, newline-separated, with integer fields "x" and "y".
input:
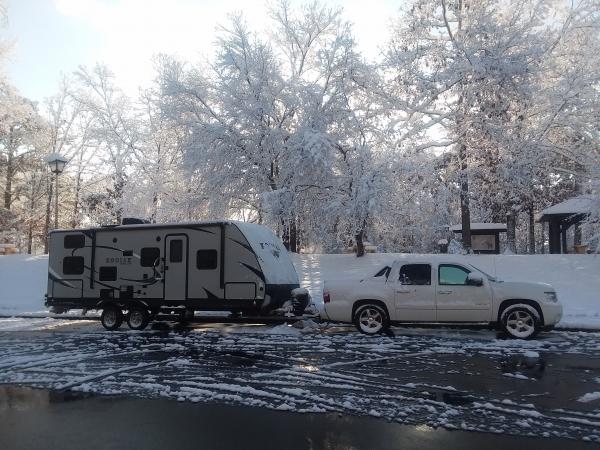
{"x": 23, "y": 280}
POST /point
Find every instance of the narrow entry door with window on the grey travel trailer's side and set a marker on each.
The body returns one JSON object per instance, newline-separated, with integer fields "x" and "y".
{"x": 176, "y": 262}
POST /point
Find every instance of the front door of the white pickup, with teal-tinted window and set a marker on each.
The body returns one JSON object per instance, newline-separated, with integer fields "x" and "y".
{"x": 458, "y": 301}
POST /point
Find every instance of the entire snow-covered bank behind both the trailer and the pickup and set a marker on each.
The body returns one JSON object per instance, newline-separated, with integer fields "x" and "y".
{"x": 575, "y": 277}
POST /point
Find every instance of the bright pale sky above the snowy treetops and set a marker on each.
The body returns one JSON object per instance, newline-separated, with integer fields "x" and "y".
{"x": 54, "y": 37}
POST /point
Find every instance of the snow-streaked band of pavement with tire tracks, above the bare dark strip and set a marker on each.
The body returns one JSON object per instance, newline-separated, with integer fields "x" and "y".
{"x": 470, "y": 381}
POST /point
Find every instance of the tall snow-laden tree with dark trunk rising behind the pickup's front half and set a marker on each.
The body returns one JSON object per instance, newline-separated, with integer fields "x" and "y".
{"x": 469, "y": 73}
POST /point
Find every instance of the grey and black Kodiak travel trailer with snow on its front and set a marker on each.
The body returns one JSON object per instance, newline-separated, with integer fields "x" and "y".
{"x": 137, "y": 270}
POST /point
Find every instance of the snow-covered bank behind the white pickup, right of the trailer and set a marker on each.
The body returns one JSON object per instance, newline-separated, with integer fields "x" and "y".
{"x": 576, "y": 278}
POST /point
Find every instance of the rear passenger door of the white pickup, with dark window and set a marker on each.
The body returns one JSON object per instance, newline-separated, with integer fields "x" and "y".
{"x": 415, "y": 294}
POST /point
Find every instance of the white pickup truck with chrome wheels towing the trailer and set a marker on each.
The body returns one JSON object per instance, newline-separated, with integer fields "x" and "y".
{"x": 441, "y": 290}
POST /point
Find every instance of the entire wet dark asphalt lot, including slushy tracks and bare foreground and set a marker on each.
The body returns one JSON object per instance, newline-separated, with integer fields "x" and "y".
{"x": 232, "y": 387}
